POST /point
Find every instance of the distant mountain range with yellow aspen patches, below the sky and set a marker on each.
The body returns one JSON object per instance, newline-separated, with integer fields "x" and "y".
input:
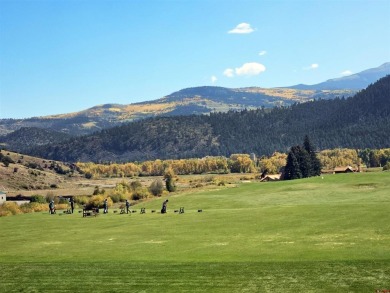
{"x": 197, "y": 100}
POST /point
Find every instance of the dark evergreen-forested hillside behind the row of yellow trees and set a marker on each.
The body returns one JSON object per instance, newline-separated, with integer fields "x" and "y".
{"x": 362, "y": 121}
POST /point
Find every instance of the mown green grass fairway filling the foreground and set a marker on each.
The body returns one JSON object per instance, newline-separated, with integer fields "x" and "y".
{"x": 329, "y": 234}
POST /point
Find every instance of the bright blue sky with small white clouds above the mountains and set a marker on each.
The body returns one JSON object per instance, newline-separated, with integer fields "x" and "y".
{"x": 66, "y": 56}
